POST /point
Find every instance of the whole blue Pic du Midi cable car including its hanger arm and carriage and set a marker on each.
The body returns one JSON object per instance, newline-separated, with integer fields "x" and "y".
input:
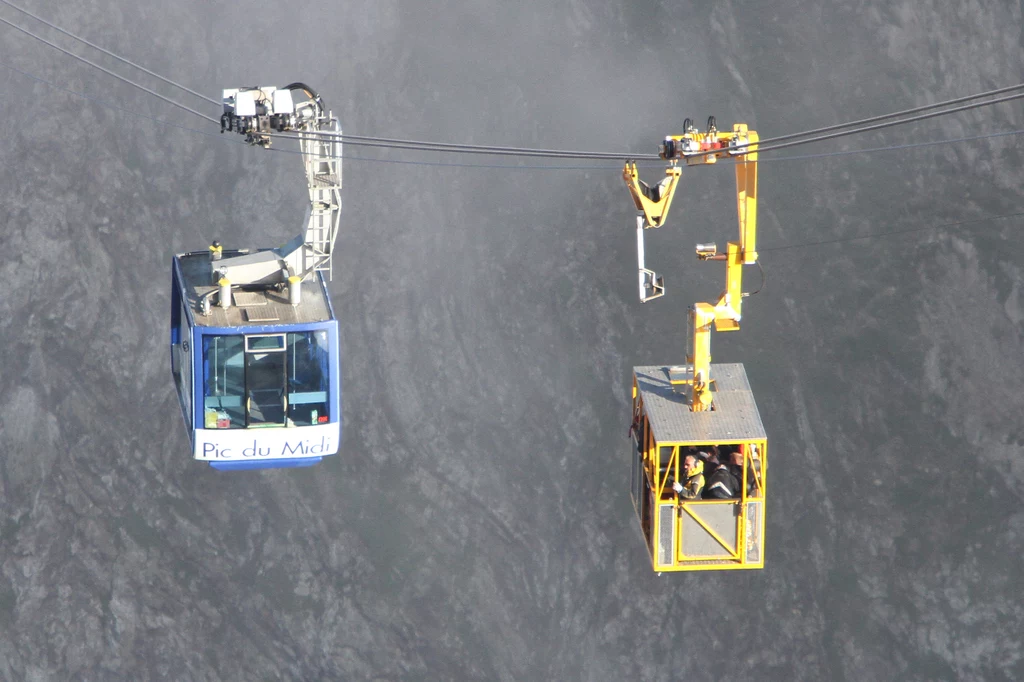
{"x": 254, "y": 340}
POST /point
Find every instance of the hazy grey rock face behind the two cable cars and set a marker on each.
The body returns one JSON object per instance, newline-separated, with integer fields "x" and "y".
{"x": 477, "y": 524}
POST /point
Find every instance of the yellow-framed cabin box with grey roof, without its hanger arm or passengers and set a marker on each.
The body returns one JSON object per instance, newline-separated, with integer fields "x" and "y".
{"x": 699, "y": 534}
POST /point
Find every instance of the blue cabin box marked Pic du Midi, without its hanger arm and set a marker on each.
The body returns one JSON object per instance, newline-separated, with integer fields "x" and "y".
{"x": 259, "y": 379}
